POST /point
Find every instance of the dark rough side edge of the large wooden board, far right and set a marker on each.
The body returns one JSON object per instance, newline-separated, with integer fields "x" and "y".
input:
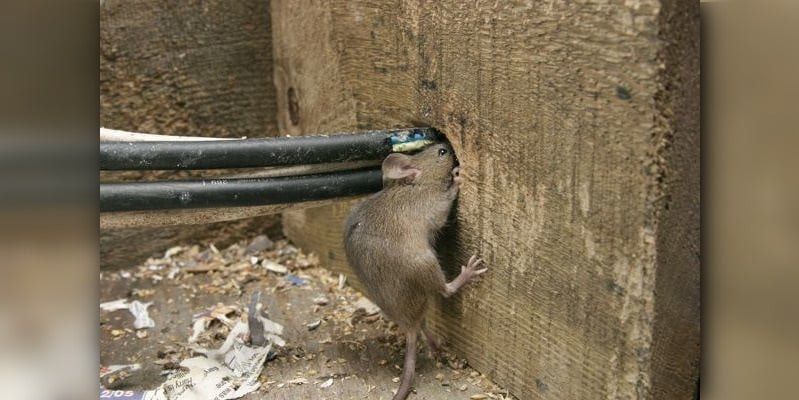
{"x": 676, "y": 331}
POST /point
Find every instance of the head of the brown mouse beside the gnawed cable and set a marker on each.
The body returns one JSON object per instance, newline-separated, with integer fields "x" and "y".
{"x": 432, "y": 165}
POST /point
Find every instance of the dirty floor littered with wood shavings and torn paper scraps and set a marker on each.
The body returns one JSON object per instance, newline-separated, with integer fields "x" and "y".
{"x": 337, "y": 345}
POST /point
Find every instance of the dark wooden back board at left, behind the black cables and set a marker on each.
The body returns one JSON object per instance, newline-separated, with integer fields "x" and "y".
{"x": 183, "y": 68}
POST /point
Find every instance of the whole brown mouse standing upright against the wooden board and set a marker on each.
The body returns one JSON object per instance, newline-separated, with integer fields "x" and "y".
{"x": 389, "y": 243}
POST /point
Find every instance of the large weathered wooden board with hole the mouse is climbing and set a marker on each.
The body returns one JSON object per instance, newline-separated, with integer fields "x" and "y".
{"x": 565, "y": 117}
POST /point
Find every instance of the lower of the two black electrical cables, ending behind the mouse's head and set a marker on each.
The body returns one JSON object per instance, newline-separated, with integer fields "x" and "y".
{"x": 236, "y": 192}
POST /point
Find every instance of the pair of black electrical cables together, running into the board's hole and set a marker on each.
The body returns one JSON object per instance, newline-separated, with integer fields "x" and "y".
{"x": 351, "y": 167}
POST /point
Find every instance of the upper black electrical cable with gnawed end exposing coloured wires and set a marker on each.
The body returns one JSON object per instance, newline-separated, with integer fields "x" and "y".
{"x": 247, "y": 153}
